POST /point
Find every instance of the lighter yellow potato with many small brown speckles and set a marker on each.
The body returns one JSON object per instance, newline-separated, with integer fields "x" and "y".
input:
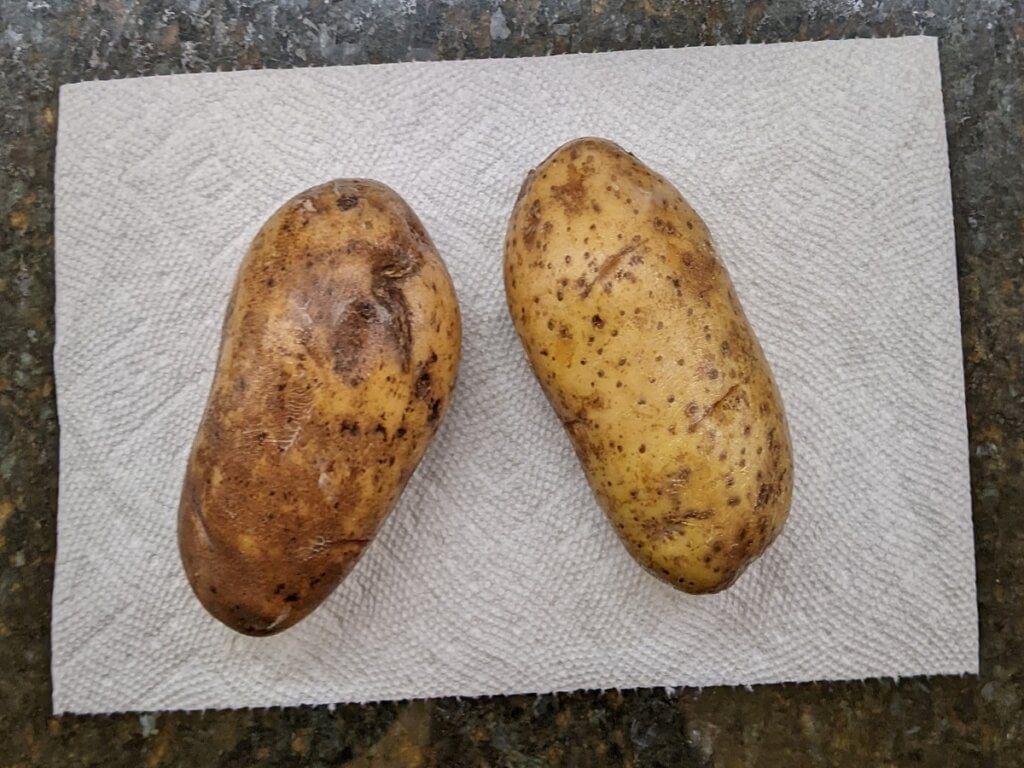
{"x": 632, "y": 327}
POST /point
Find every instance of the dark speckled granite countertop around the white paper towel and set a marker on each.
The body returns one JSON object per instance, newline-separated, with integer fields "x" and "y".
{"x": 931, "y": 722}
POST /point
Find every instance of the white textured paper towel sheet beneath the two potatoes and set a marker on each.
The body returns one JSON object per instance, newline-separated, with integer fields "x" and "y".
{"x": 822, "y": 172}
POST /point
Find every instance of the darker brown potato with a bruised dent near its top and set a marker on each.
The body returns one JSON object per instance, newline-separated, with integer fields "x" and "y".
{"x": 339, "y": 354}
